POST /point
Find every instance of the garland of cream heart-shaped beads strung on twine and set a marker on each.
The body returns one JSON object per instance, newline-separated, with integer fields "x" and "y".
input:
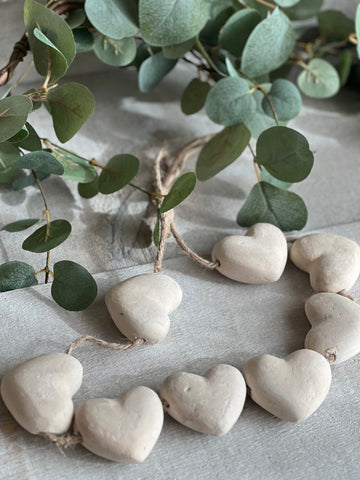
{"x": 38, "y": 393}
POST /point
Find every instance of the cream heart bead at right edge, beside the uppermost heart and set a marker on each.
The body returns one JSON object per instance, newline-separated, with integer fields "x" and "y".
{"x": 332, "y": 261}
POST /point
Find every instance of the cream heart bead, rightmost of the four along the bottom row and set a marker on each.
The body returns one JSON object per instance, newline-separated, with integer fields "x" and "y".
{"x": 291, "y": 388}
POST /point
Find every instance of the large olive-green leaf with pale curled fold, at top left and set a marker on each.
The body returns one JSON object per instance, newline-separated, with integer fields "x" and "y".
{"x": 55, "y": 47}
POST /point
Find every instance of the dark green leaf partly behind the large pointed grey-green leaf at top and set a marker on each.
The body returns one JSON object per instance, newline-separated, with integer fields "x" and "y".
{"x": 237, "y": 29}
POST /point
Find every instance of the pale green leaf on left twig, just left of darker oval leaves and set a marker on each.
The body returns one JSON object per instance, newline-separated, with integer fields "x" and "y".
{"x": 75, "y": 167}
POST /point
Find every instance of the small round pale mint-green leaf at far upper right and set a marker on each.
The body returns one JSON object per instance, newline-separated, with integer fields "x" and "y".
{"x": 319, "y": 80}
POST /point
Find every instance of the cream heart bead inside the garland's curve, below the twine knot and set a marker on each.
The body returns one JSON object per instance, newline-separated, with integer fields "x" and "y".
{"x": 140, "y": 306}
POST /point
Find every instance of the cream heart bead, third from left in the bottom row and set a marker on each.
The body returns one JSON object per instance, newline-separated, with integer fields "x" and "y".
{"x": 209, "y": 404}
